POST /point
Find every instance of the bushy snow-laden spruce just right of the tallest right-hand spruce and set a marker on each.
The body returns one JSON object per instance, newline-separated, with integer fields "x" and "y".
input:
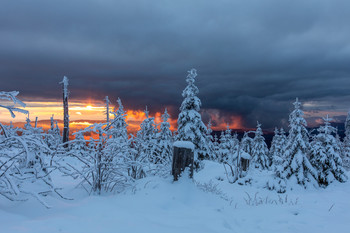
{"x": 325, "y": 155}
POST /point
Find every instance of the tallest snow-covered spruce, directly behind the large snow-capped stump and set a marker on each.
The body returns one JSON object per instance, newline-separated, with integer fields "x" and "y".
{"x": 190, "y": 125}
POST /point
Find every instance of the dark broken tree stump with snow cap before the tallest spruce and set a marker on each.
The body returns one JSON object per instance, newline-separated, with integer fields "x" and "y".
{"x": 183, "y": 157}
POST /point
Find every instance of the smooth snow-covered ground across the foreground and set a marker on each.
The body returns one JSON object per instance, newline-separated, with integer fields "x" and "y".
{"x": 207, "y": 204}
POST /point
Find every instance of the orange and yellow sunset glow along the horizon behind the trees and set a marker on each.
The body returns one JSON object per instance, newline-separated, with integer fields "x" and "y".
{"x": 83, "y": 115}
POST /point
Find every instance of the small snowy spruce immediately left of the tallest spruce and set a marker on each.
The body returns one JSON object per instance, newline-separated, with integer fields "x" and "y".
{"x": 164, "y": 146}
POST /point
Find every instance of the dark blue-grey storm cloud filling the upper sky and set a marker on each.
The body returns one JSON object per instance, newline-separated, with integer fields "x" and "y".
{"x": 253, "y": 57}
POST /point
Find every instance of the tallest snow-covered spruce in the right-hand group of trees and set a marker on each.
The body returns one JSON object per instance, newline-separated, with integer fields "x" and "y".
{"x": 297, "y": 150}
